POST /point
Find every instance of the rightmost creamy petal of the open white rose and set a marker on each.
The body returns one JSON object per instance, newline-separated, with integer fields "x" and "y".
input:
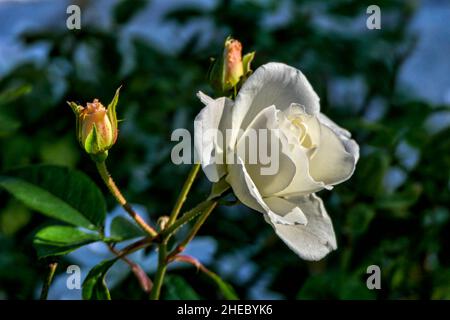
{"x": 336, "y": 156}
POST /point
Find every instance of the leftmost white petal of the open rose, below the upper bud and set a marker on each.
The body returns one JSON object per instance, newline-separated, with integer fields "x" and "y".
{"x": 209, "y": 122}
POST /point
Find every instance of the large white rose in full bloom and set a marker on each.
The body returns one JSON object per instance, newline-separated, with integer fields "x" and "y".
{"x": 314, "y": 153}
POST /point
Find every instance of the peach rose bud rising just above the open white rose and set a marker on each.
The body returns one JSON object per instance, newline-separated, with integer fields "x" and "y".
{"x": 231, "y": 68}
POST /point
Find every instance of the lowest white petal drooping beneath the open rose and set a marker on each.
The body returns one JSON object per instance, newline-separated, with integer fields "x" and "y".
{"x": 314, "y": 240}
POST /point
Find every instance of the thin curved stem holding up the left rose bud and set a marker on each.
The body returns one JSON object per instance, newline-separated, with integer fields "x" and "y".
{"x": 112, "y": 187}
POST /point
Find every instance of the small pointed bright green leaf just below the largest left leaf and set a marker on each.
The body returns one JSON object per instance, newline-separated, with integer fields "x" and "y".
{"x": 60, "y": 240}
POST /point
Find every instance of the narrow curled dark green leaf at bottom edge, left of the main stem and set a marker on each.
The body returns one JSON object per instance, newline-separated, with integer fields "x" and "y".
{"x": 94, "y": 286}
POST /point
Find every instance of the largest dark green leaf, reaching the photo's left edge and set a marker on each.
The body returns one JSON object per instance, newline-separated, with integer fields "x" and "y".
{"x": 58, "y": 192}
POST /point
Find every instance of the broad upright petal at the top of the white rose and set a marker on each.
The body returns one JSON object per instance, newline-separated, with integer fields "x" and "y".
{"x": 273, "y": 84}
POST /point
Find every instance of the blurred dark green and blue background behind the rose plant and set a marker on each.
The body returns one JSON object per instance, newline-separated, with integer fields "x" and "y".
{"x": 389, "y": 87}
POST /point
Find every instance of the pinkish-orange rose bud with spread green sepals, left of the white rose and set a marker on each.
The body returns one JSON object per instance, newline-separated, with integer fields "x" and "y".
{"x": 96, "y": 126}
